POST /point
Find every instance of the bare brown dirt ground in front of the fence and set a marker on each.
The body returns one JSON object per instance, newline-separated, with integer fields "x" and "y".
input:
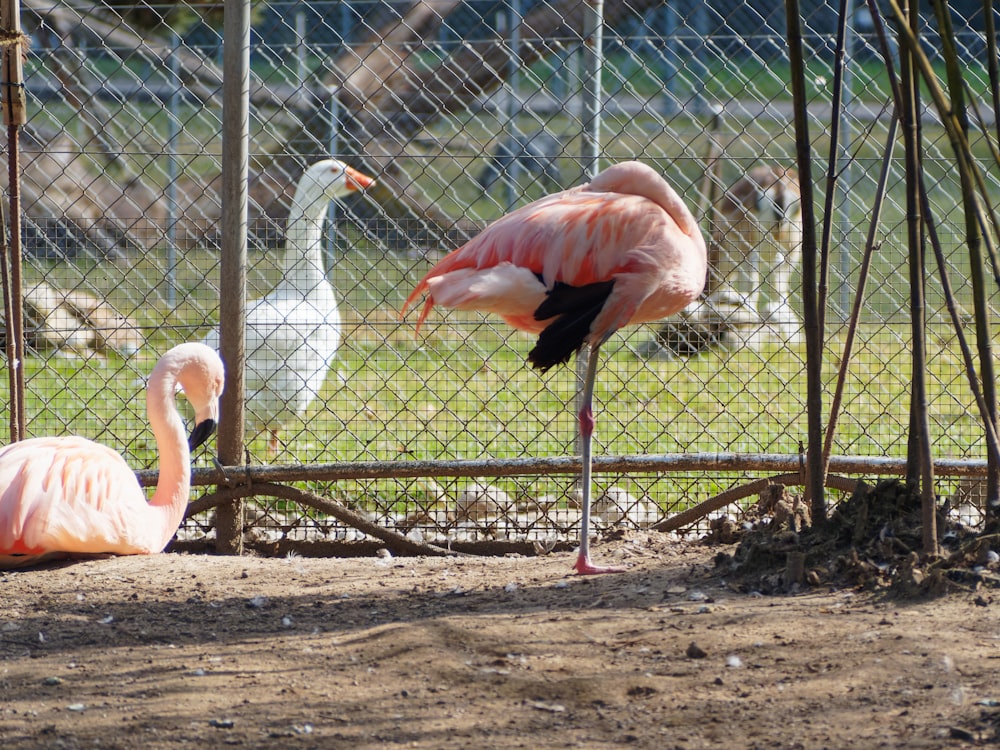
{"x": 506, "y": 652}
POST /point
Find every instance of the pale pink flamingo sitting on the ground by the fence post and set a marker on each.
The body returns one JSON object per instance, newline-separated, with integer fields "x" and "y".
{"x": 68, "y": 496}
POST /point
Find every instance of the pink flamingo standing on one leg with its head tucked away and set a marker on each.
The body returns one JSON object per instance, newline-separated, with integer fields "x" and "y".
{"x": 574, "y": 267}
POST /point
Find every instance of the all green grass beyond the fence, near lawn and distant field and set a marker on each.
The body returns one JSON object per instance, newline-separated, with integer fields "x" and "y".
{"x": 462, "y": 388}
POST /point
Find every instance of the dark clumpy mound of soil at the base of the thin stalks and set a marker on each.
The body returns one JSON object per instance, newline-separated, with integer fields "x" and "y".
{"x": 871, "y": 540}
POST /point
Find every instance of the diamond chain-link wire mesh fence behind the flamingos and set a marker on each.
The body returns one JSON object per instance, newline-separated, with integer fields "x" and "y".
{"x": 462, "y": 111}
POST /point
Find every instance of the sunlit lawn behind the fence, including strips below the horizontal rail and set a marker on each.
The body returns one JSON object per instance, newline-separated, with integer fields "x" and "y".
{"x": 462, "y": 390}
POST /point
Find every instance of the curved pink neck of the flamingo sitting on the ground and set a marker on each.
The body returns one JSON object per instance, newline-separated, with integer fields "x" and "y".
{"x": 170, "y": 499}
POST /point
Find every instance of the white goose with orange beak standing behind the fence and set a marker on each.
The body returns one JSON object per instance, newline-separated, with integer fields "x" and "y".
{"x": 292, "y": 334}
